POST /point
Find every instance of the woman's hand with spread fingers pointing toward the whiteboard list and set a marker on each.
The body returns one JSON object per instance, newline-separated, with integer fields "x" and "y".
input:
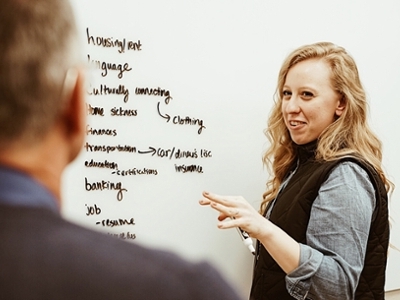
{"x": 242, "y": 214}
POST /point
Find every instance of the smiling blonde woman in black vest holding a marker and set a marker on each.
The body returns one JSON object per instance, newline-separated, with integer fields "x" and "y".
{"x": 323, "y": 230}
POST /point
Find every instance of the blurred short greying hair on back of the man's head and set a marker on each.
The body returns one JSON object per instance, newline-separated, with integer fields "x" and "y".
{"x": 38, "y": 48}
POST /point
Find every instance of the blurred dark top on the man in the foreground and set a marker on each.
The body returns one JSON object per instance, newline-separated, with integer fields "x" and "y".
{"x": 43, "y": 256}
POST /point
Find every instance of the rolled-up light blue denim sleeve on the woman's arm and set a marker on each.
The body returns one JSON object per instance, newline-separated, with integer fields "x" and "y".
{"x": 332, "y": 259}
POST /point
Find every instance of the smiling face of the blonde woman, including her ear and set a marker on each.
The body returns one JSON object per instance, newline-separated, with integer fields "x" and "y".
{"x": 309, "y": 102}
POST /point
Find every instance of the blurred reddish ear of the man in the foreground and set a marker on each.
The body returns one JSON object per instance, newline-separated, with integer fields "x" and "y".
{"x": 74, "y": 114}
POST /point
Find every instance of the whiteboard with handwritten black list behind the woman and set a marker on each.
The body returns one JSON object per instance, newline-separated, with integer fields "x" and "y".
{"x": 210, "y": 69}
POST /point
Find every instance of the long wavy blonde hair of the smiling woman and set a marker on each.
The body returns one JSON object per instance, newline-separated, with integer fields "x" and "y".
{"x": 349, "y": 134}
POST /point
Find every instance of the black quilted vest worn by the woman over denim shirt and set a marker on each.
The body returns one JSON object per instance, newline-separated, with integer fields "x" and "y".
{"x": 291, "y": 212}
